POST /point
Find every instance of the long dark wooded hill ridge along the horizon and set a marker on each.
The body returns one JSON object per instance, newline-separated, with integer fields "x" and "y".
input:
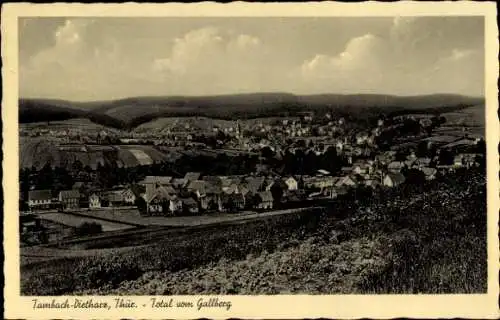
{"x": 131, "y": 112}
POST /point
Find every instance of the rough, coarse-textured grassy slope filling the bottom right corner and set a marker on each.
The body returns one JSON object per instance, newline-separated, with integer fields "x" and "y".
{"x": 423, "y": 249}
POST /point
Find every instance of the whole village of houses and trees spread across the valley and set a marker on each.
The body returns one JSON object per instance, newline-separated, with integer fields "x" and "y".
{"x": 347, "y": 158}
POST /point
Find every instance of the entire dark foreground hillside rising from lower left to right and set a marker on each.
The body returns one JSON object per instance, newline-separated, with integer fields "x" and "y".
{"x": 428, "y": 238}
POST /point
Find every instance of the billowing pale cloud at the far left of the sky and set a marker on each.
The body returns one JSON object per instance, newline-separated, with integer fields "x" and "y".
{"x": 70, "y": 68}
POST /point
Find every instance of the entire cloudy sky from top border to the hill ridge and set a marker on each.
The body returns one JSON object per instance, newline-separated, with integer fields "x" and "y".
{"x": 109, "y": 58}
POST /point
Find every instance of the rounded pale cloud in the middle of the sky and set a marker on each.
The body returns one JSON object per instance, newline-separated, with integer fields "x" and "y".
{"x": 220, "y": 60}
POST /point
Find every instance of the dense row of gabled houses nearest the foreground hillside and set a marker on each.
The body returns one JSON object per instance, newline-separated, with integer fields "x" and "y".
{"x": 194, "y": 192}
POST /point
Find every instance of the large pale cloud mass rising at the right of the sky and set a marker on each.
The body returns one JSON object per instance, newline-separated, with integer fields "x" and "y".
{"x": 401, "y": 63}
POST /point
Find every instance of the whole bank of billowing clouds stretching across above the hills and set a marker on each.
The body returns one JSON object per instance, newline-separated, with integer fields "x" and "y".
{"x": 413, "y": 56}
